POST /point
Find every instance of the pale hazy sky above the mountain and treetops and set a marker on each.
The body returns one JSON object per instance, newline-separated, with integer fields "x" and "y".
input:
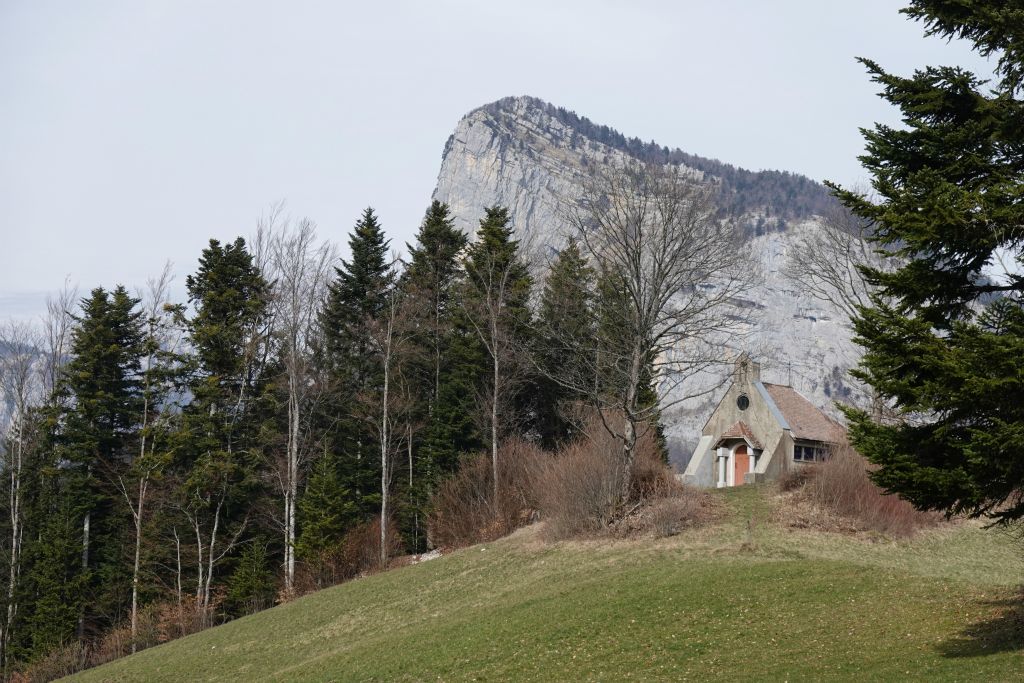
{"x": 132, "y": 133}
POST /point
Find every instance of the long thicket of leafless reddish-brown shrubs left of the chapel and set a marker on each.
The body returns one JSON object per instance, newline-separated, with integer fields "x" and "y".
{"x": 576, "y": 492}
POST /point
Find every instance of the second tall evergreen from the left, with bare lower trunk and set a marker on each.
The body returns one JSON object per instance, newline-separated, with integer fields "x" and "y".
{"x": 218, "y": 449}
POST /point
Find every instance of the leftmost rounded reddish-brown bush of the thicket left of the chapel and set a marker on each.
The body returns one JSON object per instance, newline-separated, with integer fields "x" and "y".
{"x": 463, "y": 510}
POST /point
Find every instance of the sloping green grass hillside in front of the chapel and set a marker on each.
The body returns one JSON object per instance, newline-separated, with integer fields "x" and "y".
{"x": 720, "y": 604}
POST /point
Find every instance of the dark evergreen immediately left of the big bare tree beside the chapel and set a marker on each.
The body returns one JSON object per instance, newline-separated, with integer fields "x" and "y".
{"x": 567, "y": 329}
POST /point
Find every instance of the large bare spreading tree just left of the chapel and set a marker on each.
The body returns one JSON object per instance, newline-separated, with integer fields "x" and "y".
{"x": 653, "y": 238}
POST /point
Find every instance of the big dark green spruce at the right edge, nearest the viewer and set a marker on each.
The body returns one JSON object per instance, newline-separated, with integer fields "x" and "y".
{"x": 945, "y": 336}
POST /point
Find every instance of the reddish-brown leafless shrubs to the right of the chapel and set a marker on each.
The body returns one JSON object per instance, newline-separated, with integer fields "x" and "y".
{"x": 841, "y": 486}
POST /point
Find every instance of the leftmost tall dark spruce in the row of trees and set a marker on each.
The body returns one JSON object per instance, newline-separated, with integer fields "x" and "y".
{"x": 96, "y": 438}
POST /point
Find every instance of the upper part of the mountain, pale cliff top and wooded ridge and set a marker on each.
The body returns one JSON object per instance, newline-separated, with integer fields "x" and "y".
{"x": 531, "y": 156}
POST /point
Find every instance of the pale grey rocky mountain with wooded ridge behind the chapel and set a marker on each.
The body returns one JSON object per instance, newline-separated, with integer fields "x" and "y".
{"x": 534, "y": 158}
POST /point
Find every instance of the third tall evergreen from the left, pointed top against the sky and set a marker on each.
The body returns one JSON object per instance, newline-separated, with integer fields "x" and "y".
{"x": 358, "y": 296}
